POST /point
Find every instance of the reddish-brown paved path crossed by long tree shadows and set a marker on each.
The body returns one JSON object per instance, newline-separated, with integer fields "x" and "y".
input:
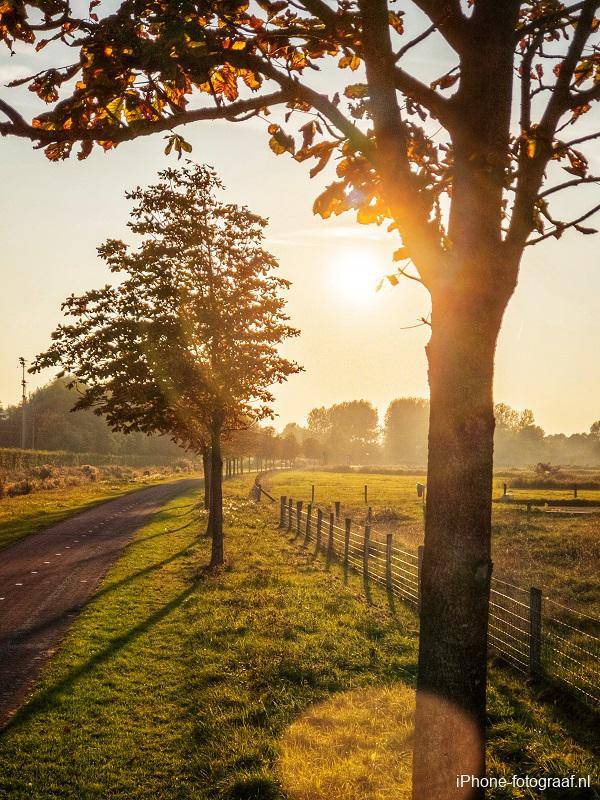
{"x": 46, "y": 578}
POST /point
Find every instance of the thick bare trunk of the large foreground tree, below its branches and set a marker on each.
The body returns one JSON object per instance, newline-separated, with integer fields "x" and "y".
{"x": 456, "y": 572}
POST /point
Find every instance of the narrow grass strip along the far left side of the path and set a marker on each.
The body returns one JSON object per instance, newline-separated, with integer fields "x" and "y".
{"x": 29, "y": 513}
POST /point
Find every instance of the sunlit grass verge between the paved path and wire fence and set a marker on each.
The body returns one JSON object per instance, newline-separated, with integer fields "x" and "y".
{"x": 271, "y": 679}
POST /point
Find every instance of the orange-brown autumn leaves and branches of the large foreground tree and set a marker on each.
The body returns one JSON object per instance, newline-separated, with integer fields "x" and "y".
{"x": 402, "y": 146}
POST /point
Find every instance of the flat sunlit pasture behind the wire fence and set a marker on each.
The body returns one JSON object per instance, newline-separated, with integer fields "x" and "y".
{"x": 557, "y": 552}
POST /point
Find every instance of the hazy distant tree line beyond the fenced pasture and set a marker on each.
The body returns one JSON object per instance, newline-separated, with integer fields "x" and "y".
{"x": 350, "y": 433}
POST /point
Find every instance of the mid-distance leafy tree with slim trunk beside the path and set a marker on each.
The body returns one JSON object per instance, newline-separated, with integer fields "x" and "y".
{"x": 187, "y": 343}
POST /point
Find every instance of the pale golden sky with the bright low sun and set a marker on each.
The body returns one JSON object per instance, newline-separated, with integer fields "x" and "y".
{"x": 355, "y": 342}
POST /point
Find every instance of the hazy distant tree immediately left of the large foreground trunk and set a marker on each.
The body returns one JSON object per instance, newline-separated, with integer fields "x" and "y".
{"x": 405, "y": 430}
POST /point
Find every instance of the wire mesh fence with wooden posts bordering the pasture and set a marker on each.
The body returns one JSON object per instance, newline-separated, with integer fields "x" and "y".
{"x": 533, "y": 633}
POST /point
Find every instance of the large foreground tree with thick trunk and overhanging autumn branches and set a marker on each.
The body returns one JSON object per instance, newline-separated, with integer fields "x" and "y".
{"x": 461, "y": 169}
